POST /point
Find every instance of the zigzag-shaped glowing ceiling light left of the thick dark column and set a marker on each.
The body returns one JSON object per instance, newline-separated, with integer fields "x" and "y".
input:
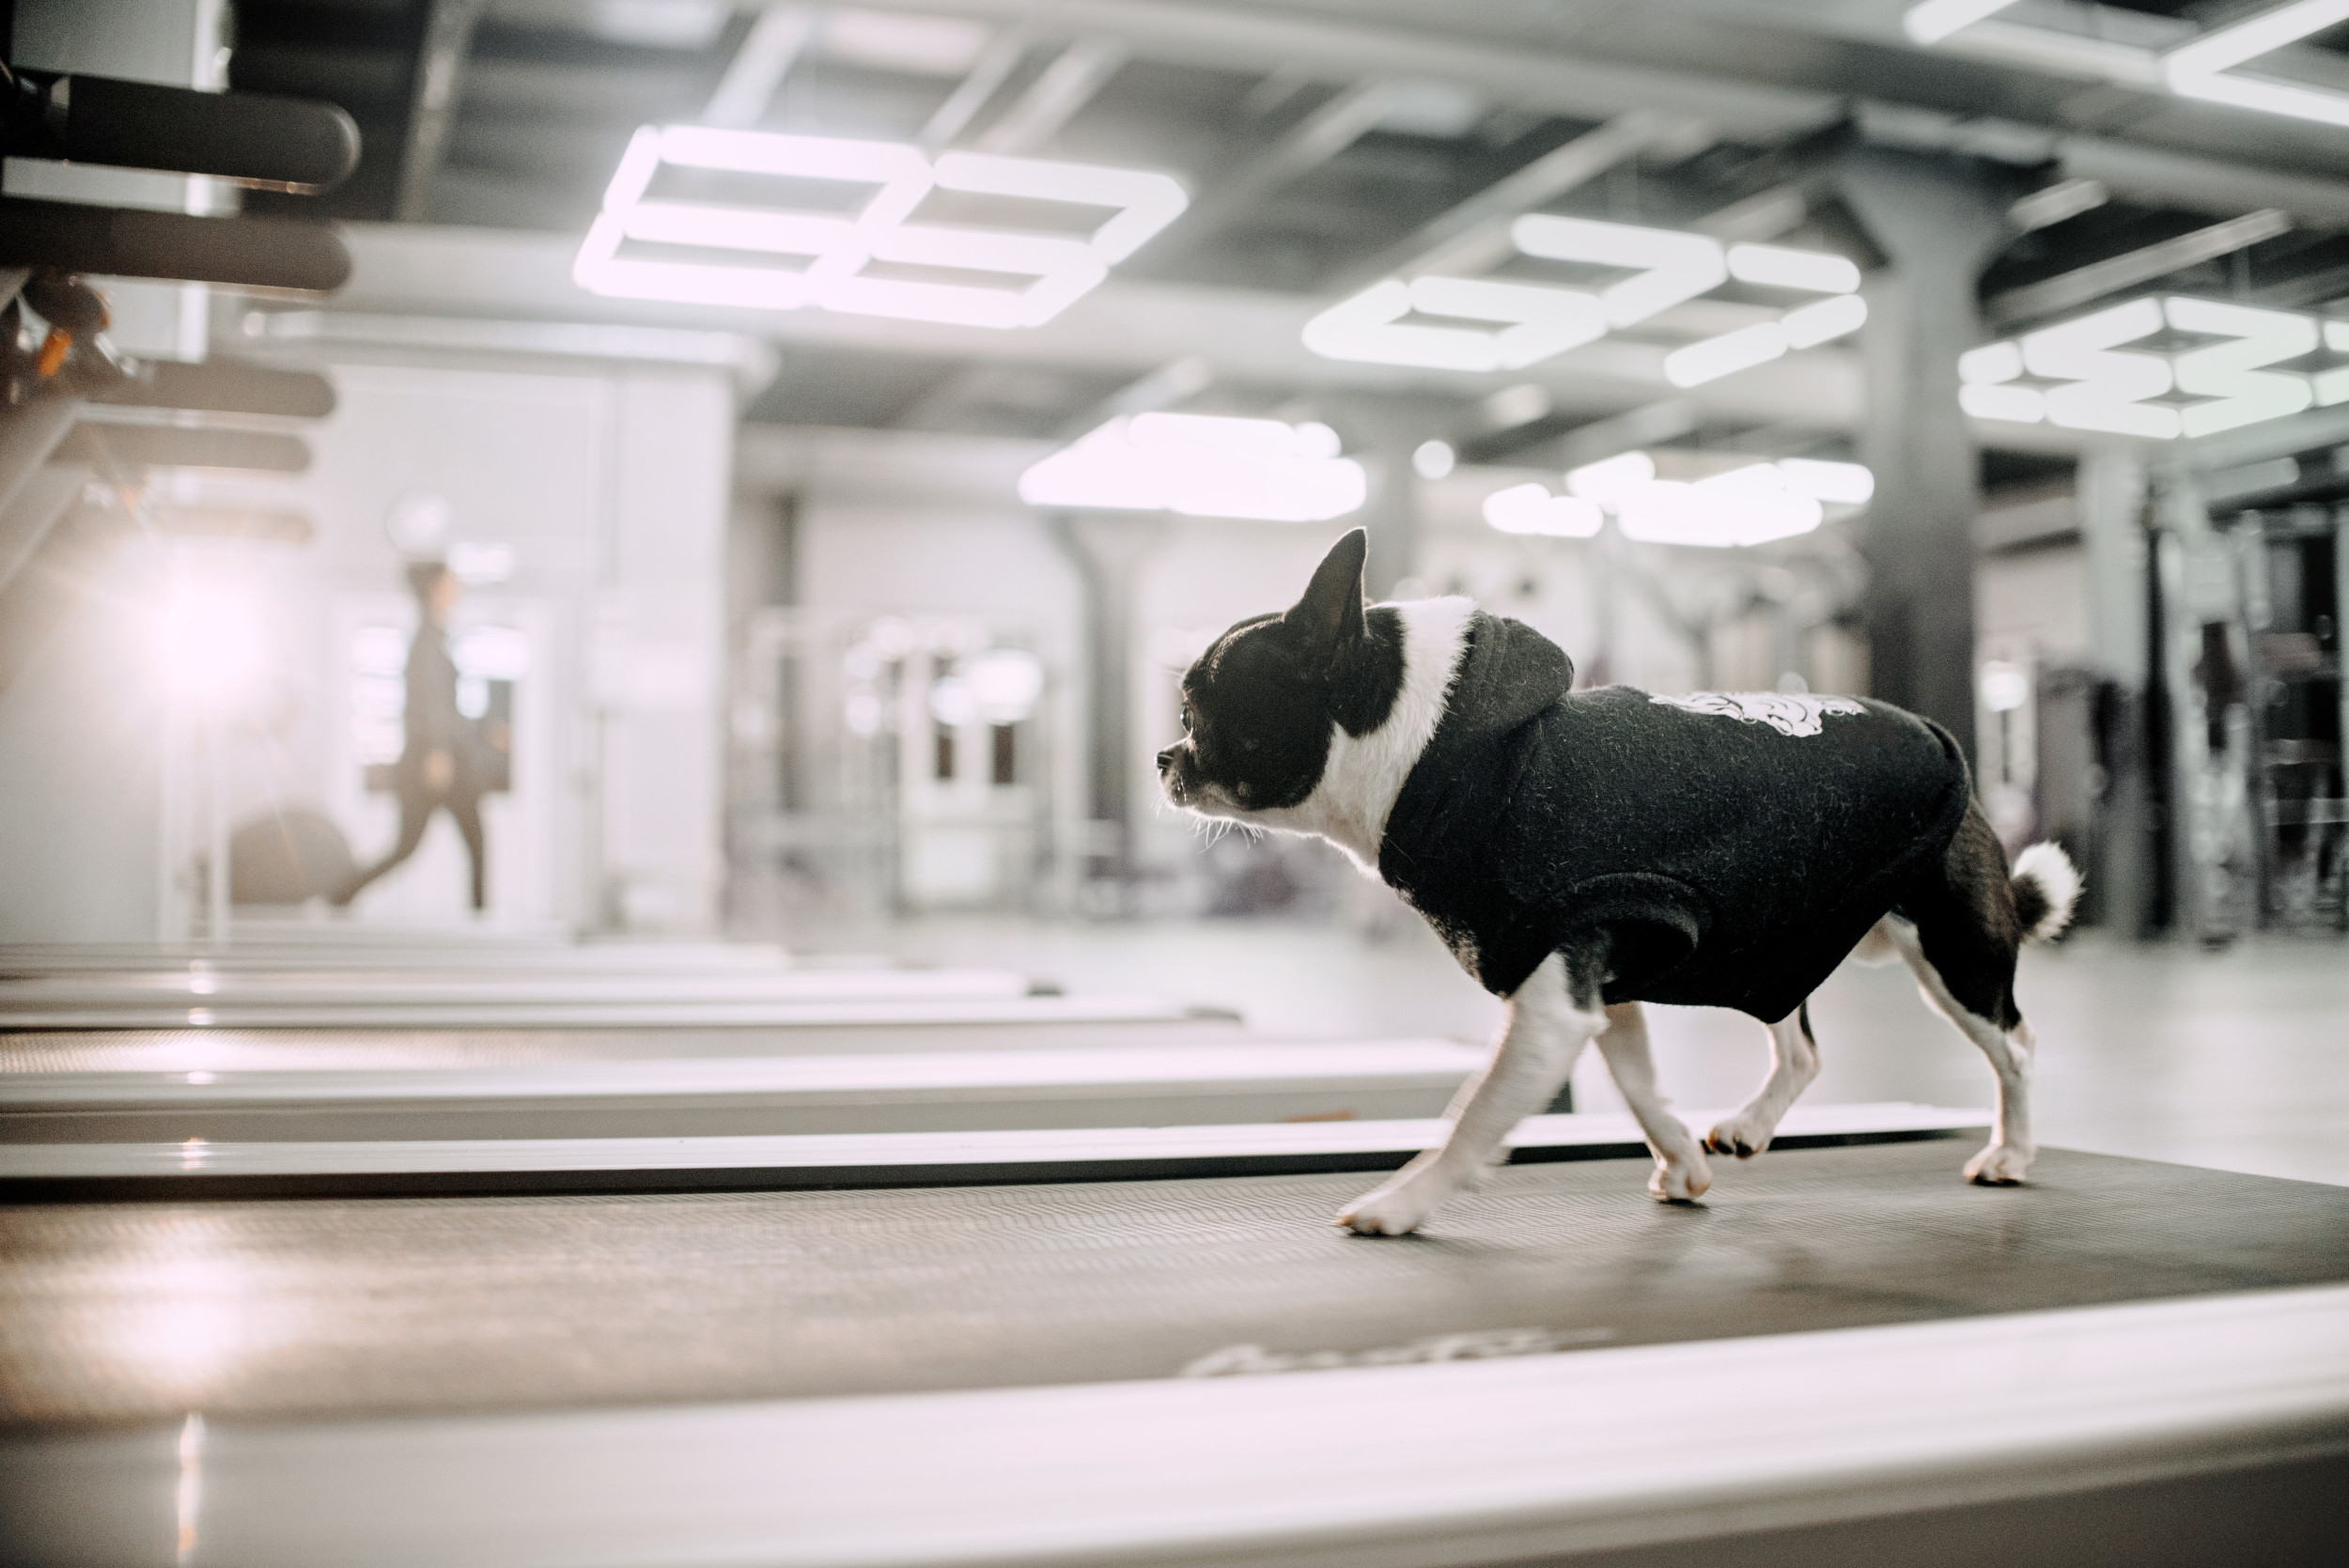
{"x": 1509, "y": 325}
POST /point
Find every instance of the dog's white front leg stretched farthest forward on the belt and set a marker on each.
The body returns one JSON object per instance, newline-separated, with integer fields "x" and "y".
{"x": 1549, "y": 1022}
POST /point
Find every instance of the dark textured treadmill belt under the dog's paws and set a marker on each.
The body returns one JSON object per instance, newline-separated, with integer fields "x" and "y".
{"x": 135, "y": 1313}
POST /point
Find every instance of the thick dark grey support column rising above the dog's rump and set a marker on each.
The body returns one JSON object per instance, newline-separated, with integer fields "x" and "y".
{"x": 1939, "y": 219}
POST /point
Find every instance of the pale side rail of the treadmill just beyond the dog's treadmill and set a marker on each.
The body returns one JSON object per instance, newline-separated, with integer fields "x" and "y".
{"x": 682, "y": 1097}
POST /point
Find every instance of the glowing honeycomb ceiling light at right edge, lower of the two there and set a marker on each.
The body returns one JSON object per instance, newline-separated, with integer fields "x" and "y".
{"x": 2158, "y": 370}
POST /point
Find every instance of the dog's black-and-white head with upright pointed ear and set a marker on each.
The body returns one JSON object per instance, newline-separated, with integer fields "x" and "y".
{"x": 1263, "y": 705}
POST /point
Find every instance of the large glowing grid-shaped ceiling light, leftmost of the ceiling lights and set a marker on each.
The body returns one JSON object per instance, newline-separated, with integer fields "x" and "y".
{"x": 652, "y": 248}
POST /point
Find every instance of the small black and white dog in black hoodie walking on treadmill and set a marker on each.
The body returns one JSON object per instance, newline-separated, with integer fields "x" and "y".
{"x": 1584, "y": 853}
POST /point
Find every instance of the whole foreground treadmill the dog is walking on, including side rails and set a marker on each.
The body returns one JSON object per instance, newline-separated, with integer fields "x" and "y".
{"x": 1150, "y": 1346}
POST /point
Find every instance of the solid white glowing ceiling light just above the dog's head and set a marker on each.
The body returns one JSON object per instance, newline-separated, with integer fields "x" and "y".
{"x": 1202, "y": 466}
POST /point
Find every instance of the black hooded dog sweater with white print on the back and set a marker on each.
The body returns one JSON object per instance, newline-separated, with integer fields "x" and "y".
{"x": 1732, "y": 849}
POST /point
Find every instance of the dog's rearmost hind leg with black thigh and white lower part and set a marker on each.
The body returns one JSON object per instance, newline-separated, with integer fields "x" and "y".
{"x": 1960, "y": 935}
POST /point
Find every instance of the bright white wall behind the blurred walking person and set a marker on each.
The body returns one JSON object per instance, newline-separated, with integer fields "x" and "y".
{"x": 607, "y": 485}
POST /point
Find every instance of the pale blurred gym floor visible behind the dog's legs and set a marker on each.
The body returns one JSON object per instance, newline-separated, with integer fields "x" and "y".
{"x": 2165, "y": 1053}
